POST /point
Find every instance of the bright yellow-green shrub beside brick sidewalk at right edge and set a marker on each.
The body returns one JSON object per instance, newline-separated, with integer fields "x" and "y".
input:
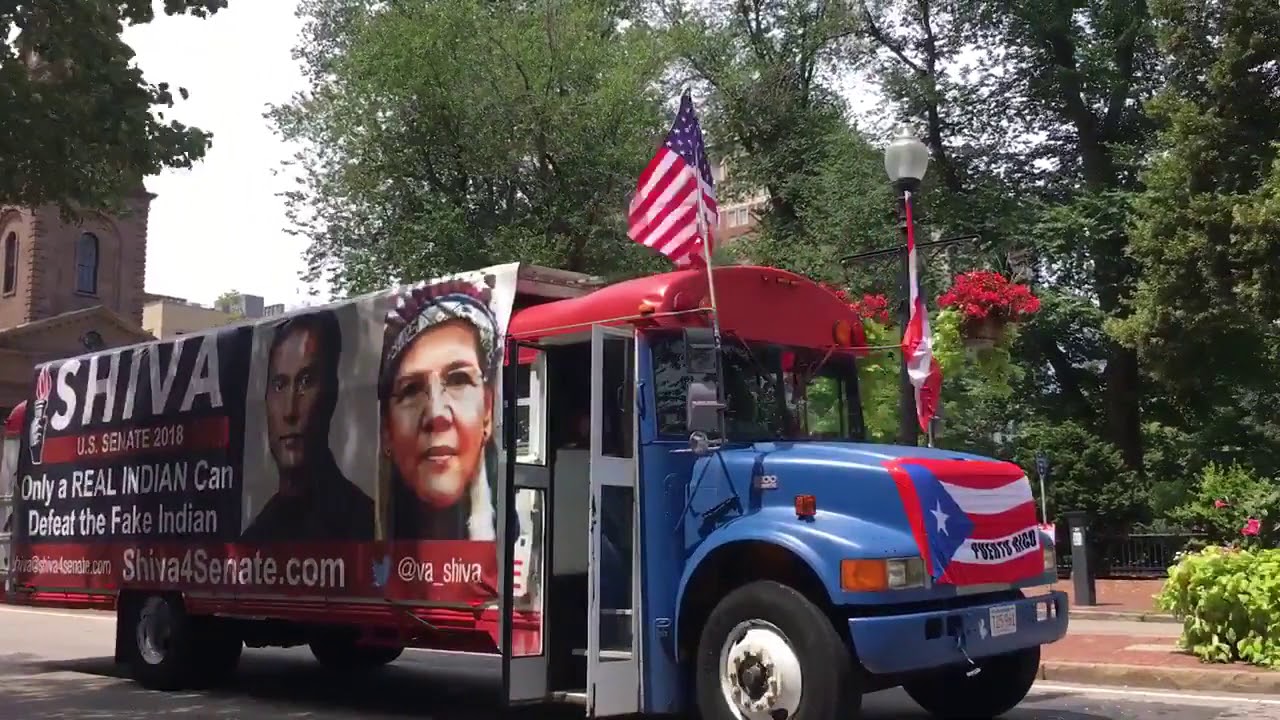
{"x": 1229, "y": 603}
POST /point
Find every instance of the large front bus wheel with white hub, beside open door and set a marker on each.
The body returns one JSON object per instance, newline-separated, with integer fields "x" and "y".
{"x": 752, "y": 622}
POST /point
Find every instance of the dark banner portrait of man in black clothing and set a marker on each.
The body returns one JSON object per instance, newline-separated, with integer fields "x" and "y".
{"x": 314, "y": 500}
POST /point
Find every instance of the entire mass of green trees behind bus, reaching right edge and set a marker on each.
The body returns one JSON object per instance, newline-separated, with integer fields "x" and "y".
{"x": 1128, "y": 148}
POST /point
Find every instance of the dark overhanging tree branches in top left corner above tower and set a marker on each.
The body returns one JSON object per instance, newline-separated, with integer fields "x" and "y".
{"x": 77, "y": 126}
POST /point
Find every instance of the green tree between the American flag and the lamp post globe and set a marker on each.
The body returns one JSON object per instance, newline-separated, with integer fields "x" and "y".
{"x": 774, "y": 111}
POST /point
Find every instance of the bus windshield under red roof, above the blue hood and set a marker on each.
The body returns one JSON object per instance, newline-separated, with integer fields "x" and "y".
{"x": 772, "y": 393}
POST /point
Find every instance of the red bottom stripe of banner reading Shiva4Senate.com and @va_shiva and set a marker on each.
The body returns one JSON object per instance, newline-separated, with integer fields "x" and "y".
{"x": 292, "y": 577}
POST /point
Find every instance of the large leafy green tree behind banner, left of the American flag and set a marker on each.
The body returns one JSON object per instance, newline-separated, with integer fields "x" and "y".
{"x": 444, "y": 136}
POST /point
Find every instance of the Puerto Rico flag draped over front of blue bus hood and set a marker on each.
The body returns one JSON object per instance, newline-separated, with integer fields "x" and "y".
{"x": 973, "y": 521}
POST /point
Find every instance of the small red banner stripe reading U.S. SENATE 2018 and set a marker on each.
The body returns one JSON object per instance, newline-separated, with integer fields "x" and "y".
{"x": 153, "y": 439}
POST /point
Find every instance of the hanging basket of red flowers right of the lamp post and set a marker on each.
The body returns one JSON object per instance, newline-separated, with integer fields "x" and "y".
{"x": 989, "y": 303}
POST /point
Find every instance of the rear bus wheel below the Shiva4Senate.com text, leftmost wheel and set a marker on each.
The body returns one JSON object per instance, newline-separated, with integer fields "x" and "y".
{"x": 162, "y": 653}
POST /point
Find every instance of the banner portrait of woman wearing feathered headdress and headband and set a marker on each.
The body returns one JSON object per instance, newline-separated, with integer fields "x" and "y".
{"x": 437, "y": 395}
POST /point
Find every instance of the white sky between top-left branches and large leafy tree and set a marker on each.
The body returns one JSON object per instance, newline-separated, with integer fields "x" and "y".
{"x": 221, "y": 226}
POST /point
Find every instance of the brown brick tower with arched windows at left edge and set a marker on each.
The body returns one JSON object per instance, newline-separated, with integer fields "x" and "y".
{"x": 68, "y": 289}
